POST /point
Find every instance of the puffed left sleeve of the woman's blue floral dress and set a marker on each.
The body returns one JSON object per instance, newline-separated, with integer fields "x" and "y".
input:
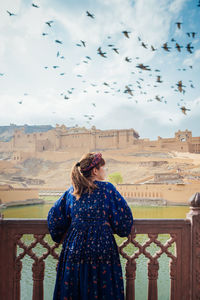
{"x": 59, "y": 219}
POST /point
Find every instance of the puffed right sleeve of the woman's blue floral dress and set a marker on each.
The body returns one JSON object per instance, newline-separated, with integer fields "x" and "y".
{"x": 120, "y": 215}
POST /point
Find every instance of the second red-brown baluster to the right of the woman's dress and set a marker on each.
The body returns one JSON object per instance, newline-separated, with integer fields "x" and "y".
{"x": 153, "y": 268}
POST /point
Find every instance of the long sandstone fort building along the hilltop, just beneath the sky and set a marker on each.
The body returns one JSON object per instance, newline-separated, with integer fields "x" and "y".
{"x": 61, "y": 139}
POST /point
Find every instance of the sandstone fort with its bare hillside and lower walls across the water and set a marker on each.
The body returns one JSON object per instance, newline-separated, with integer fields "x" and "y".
{"x": 36, "y": 161}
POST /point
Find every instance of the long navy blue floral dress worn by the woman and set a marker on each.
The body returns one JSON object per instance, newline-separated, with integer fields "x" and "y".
{"x": 89, "y": 265}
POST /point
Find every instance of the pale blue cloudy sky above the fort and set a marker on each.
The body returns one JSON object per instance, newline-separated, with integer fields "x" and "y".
{"x": 53, "y": 73}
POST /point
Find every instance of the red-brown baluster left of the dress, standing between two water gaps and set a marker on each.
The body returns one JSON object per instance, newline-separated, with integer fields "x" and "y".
{"x": 38, "y": 279}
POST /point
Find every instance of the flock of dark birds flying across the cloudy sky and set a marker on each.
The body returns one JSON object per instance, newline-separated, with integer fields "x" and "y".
{"x": 140, "y": 67}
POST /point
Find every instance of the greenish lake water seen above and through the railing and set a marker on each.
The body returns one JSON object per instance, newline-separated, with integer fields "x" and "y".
{"x": 141, "y": 284}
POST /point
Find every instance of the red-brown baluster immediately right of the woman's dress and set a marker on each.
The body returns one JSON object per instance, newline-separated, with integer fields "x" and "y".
{"x": 130, "y": 280}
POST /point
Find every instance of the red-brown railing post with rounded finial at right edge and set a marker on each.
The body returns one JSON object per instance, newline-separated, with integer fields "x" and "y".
{"x": 194, "y": 217}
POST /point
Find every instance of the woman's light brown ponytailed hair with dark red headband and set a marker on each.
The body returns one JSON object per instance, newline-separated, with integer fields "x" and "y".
{"x": 81, "y": 173}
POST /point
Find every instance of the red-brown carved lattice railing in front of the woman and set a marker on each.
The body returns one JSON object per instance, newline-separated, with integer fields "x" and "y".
{"x": 184, "y": 235}
